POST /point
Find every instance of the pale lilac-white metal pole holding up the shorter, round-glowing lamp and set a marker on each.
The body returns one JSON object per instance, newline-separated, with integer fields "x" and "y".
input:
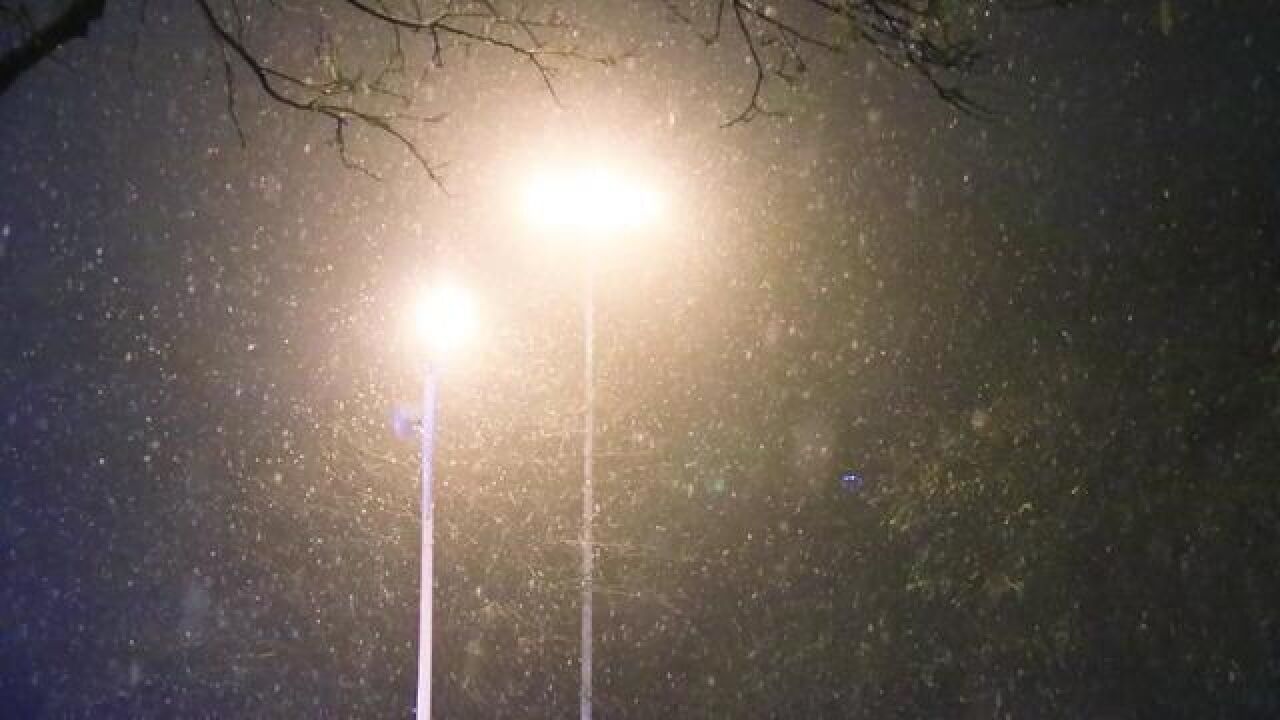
{"x": 427, "y": 589}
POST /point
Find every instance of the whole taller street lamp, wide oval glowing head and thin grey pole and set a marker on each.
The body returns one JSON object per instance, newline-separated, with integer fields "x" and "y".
{"x": 589, "y": 203}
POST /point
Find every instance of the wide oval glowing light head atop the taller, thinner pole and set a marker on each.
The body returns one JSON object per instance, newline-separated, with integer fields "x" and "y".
{"x": 591, "y": 200}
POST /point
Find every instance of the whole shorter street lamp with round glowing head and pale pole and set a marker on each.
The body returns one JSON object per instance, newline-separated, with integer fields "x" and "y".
{"x": 444, "y": 320}
